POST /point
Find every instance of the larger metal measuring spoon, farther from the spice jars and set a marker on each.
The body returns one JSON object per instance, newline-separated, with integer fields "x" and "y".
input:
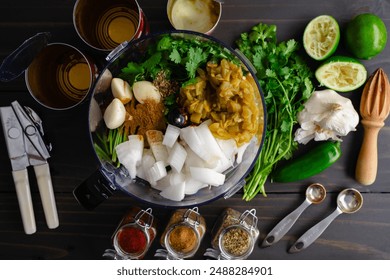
{"x": 348, "y": 201}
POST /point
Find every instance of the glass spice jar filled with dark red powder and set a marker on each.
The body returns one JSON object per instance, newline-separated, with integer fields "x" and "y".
{"x": 134, "y": 235}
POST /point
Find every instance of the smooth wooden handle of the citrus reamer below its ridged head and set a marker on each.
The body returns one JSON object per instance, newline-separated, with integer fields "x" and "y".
{"x": 367, "y": 163}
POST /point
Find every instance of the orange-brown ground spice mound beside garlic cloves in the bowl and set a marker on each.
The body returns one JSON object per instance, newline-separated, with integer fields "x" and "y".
{"x": 143, "y": 117}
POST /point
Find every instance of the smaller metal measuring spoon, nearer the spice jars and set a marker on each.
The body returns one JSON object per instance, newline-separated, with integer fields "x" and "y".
{"x": 315, "y": 193}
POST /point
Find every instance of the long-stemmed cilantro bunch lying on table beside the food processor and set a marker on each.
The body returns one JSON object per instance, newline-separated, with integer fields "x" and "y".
{"x": 286, "y": 83}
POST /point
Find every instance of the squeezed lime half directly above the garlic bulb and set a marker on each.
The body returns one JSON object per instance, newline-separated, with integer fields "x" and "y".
{"x": 341, "y": 73}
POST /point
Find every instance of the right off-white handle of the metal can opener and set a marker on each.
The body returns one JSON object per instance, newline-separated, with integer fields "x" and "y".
{"x": 45, "y": 186}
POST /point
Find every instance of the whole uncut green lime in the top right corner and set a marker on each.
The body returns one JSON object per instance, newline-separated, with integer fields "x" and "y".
{"x": 365, "y": 36}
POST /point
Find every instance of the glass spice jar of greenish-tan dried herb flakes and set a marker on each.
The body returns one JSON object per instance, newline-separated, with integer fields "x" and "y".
{"x": 234, "y": 235}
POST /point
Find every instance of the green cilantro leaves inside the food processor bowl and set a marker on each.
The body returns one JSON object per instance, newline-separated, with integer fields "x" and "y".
{"x": 177, "y": 56}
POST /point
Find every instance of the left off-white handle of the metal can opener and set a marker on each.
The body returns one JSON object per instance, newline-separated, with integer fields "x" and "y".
{"x": 22, "y": 187}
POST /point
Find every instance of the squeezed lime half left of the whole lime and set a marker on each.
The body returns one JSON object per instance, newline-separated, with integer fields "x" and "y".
{"x": 321, "y": 37}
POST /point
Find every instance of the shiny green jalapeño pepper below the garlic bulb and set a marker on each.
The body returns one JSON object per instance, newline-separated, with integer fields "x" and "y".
{"x": 313, "y": 162}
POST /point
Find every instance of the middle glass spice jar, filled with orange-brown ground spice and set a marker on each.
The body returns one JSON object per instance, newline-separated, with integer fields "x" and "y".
{"x": 183, "y": 234}
